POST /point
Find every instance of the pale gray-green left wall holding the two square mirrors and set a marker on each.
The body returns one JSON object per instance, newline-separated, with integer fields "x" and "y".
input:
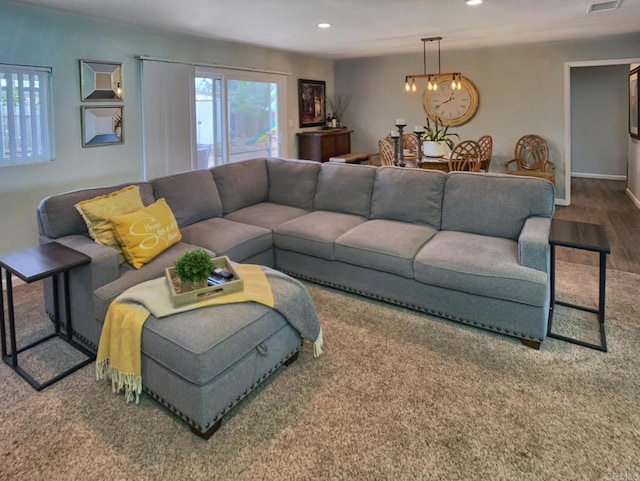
{"x": 36, "y": 36}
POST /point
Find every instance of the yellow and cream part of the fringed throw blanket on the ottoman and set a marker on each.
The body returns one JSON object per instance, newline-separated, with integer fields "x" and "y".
{"x": 119, "y": 356}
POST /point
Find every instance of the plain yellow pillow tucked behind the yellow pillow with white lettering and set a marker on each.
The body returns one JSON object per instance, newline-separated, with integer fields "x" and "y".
{"x": 97, "y": 213}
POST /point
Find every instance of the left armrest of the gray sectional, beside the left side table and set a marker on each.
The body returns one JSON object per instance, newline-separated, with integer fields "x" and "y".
{"x": 105, "y": 266}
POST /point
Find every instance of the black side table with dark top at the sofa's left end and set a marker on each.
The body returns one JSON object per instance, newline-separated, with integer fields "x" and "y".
{"x": 30, "y": 265}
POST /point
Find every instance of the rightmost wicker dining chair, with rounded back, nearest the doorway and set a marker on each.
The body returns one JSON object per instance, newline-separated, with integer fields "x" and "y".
{"x": 531, "y": 159}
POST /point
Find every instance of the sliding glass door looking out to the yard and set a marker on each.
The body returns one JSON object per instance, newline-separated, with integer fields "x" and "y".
{"x": 239, "y": 115}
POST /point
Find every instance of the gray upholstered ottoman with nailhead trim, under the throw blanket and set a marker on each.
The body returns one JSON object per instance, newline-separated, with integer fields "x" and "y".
{"x": 201, "y": 363}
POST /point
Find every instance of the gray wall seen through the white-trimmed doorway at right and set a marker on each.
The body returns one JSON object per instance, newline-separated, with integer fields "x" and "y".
{"x": 599, "y": 121}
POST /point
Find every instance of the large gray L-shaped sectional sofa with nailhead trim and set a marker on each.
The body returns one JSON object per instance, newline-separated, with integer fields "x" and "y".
{"x": 469, "y": 247}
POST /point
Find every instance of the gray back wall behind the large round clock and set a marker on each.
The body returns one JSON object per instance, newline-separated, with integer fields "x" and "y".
{"x": 521, "y": 90}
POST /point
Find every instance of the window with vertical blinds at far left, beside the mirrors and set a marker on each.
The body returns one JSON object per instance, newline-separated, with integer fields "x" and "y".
{"x": 26, "y": 134}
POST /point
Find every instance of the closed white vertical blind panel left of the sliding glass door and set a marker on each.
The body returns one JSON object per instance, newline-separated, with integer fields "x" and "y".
{"x": 167, "y": 103}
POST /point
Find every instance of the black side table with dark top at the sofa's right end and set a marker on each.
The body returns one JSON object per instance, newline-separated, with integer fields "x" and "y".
{"x": 590, "y": 237}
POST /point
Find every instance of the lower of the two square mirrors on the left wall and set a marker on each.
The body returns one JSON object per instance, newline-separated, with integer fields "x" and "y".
{"x": 102, "y": 126}
